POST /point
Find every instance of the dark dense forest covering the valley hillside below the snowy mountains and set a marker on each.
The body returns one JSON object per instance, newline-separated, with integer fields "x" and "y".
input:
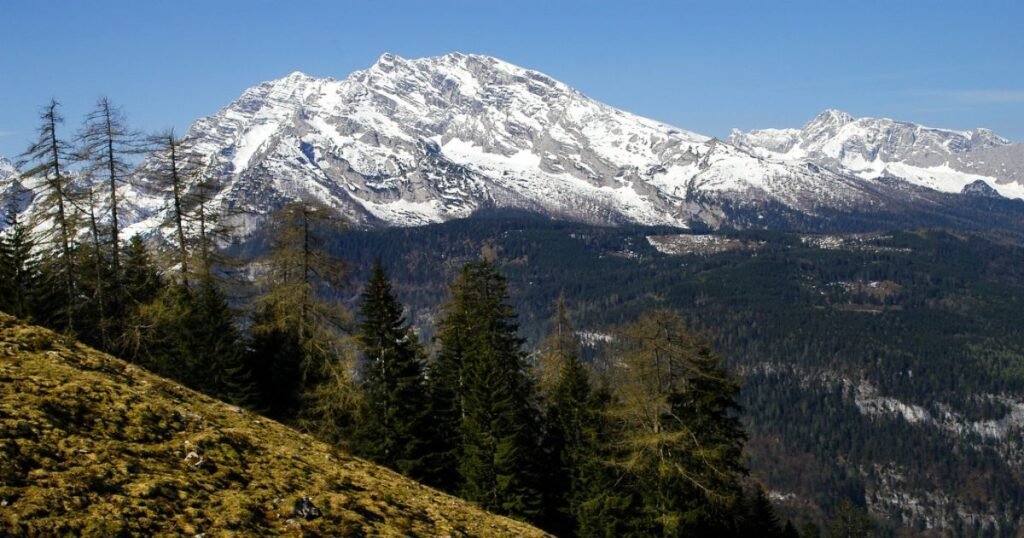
{"x": 928, "y": 318}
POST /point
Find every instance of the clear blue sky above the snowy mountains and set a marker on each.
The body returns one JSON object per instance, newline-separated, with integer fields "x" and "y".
{"x": 705, "y": 66}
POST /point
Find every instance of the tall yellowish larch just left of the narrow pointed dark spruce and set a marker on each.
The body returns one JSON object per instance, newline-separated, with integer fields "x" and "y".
{"x": 300, "y": 332}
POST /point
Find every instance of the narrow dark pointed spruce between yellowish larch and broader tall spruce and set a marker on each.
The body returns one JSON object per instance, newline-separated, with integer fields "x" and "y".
{"x": 393, "y": 429}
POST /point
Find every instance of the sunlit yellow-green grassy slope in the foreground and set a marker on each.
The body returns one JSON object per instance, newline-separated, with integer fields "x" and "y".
{"x": 91, "y": 445}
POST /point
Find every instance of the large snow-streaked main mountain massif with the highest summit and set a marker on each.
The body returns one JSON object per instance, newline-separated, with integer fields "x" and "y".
{"x": 411, "y": 142}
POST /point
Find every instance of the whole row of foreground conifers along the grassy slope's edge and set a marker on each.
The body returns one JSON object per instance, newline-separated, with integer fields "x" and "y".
{"x": 647, "y": 440}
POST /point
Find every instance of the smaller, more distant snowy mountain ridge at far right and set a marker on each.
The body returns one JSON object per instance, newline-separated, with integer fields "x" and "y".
{"x": 870, "y": 148}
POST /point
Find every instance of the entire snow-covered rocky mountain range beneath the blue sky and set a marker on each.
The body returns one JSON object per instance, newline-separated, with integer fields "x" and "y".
{"x": 413, "y": 142}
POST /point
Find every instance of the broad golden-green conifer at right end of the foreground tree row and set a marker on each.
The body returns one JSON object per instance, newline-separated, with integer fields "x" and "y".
{"x": 680, "y": 444}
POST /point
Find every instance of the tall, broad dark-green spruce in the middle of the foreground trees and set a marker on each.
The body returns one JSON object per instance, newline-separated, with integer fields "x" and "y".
{"x": 482, "y": 390}
